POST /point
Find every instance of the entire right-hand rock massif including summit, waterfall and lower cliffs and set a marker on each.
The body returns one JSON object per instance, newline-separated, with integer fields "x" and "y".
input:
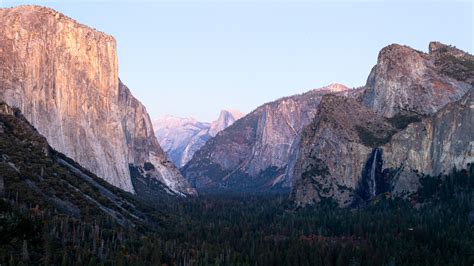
{"x": 413, "y": 117}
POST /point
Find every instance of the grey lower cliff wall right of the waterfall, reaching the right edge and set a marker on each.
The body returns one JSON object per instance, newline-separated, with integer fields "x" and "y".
{"x": 434, "y": 146}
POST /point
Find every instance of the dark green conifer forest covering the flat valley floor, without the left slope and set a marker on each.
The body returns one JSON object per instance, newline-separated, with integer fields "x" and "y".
{"x": 434, "y": 228}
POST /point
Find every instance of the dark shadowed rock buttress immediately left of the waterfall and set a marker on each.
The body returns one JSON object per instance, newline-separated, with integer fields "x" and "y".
{"x": 334, "y": 149}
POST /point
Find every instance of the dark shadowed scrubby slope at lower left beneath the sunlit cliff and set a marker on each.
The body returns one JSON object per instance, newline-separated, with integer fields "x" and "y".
{"x": 42, "y": 177}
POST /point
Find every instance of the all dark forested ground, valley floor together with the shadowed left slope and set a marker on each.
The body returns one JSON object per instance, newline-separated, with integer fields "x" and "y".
{"x": 53, "y": 212}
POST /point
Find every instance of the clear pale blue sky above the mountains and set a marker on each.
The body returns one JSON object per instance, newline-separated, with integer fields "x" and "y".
{"x": 194, "y": 58}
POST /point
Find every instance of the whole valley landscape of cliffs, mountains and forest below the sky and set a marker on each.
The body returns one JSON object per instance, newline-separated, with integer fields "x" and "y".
{"x": 381, "y": 174}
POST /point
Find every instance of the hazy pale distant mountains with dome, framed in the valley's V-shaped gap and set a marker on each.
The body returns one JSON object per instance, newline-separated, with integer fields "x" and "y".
{"x": 182, "y": 137}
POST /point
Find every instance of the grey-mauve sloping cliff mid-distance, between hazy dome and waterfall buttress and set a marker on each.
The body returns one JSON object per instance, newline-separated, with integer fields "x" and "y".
{"x": 254, "y": 153}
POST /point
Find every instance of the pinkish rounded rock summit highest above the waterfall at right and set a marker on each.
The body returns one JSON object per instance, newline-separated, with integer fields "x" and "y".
{"x": 409, "y": 81}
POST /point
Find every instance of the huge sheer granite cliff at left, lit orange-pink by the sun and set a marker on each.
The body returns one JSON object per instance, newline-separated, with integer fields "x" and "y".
{"x": 63, "y": 77}
